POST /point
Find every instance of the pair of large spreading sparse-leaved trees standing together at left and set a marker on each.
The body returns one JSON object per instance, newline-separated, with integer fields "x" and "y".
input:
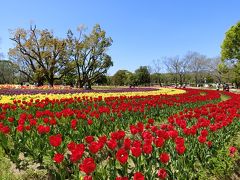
{"x": 43, "y": 57}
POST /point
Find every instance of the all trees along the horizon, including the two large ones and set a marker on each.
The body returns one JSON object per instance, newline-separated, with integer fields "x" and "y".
{"x": 82, "y": 60}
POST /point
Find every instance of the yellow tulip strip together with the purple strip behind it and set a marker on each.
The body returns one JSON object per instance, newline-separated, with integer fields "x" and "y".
{"x": 8, "y": 95}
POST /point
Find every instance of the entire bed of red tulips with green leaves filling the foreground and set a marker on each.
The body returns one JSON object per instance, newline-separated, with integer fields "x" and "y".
{"x": 124, "y": 137}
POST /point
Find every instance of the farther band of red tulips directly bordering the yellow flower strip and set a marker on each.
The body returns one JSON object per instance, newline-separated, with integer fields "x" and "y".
{"x": 91, "y": 116}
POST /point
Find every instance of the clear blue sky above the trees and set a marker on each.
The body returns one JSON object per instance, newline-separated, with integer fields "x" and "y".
{"x": 142, "y": 30}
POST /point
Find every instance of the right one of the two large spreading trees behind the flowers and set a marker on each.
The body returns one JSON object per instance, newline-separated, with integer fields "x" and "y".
{"x": 89, "y": 53}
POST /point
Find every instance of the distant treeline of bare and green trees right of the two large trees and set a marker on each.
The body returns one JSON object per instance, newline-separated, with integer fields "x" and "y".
{"x": 193, "y": 69}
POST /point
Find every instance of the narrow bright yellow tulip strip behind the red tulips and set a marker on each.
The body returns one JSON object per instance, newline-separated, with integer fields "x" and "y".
{"x": 27, "y": 97}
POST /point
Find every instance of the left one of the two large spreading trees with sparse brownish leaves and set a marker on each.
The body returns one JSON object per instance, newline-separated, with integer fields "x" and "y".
{"x": 41, "y": 55}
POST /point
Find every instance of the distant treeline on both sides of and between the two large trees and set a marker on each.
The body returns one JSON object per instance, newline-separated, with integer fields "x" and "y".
{"x": 194, "y": 70}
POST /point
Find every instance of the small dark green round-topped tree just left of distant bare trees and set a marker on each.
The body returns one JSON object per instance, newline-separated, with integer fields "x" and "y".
{"x": 142, "y": 75}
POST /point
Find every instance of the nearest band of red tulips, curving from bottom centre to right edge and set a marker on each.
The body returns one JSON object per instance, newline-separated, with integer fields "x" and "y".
{"x": 155, "y": 151}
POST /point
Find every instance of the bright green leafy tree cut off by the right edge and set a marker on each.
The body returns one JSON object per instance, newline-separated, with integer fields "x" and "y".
{"x": 230, "y": 51}
